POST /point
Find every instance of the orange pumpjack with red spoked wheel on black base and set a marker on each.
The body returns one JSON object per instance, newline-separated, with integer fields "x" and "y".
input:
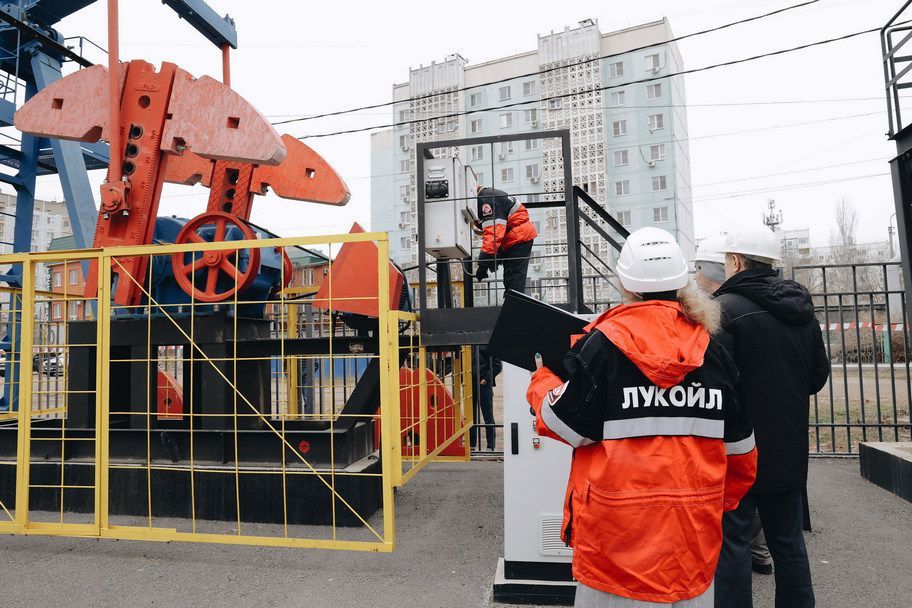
{"x": 171, "y": 127}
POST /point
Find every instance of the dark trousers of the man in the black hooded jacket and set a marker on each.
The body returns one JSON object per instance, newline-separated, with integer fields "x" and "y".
{"x": 782, "y": 517}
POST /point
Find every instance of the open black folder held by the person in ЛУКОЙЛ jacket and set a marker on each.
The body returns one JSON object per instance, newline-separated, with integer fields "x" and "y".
{"x": 526, "y": 326}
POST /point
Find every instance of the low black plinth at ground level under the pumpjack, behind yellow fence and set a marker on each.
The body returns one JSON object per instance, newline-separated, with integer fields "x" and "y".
{"x": 308, "y": 499}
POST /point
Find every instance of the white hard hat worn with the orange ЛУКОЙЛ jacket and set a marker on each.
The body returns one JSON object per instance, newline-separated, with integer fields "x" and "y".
{"x": 651, "y": 261}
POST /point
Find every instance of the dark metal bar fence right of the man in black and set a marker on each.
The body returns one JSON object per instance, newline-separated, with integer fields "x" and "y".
{"x": 861, "y": 309}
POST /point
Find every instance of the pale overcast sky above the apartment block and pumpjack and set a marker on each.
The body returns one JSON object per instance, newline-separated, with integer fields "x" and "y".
{"x": 298, "y": 58}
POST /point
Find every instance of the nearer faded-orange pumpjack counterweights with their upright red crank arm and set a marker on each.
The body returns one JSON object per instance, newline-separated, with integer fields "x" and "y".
{"x": 163, "y": 113}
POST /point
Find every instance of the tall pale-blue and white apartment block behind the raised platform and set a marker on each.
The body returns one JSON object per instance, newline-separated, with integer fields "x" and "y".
{"x": 617, "y": 94}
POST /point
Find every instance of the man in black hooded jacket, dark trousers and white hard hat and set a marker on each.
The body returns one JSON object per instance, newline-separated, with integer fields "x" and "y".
{"x": 778, "y": 348}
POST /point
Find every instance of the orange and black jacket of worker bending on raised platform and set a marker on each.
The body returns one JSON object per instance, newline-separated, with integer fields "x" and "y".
{"x": 504, "y": 220}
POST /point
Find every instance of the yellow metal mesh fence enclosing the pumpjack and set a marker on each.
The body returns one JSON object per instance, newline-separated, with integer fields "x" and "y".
{"x": 264, "y": 422}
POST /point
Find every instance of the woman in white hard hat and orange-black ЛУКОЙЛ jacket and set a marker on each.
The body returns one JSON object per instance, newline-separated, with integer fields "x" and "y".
{"x": 661, "y": 445}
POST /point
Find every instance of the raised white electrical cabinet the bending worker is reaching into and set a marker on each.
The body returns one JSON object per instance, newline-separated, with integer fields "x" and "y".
{"x": 449, "y": 208}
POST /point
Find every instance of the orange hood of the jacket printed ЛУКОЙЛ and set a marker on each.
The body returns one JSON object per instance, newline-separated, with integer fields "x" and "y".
{"x": 657, "y": 337}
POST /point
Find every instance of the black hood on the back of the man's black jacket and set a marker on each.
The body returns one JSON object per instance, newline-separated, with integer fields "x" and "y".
{"x": 788, "y": 301}
